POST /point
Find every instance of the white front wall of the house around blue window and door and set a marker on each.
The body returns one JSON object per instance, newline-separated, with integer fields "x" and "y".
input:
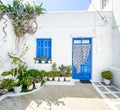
{"x": 62, "y": 27}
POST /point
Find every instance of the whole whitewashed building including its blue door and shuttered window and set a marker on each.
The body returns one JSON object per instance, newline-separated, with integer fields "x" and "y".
{"x": 59, "y": 32}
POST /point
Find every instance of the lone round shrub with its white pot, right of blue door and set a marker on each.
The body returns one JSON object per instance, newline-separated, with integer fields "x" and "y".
{"x": 107, "y": 76}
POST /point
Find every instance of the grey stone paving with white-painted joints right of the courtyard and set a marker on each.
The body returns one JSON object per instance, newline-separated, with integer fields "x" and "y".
{"x": 109, "y": 93}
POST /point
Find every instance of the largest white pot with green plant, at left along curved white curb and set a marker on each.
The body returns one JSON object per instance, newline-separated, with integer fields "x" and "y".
{"x": 18, "y": 86}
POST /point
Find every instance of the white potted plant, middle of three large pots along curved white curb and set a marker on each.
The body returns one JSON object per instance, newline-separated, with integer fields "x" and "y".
{"x": 29, "y": 82}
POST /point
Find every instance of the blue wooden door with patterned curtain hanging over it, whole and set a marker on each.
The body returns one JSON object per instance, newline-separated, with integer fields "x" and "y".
{"x": 83, "y": 69}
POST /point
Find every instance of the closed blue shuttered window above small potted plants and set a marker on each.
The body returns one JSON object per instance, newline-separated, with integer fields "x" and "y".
{"x": 43, "y": 48}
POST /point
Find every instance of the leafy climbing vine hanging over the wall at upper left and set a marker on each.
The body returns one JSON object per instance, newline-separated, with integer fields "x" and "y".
{"x": 23, "y": 16}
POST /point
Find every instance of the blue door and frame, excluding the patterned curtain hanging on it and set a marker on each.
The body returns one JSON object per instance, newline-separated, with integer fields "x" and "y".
{"x": 86, "y": 68}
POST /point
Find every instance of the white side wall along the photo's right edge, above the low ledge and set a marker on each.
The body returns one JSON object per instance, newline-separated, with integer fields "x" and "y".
{"x": 116, "y": 33}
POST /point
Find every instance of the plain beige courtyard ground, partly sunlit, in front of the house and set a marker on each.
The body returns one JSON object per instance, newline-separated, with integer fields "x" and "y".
{"x": 77, "y": 97}
